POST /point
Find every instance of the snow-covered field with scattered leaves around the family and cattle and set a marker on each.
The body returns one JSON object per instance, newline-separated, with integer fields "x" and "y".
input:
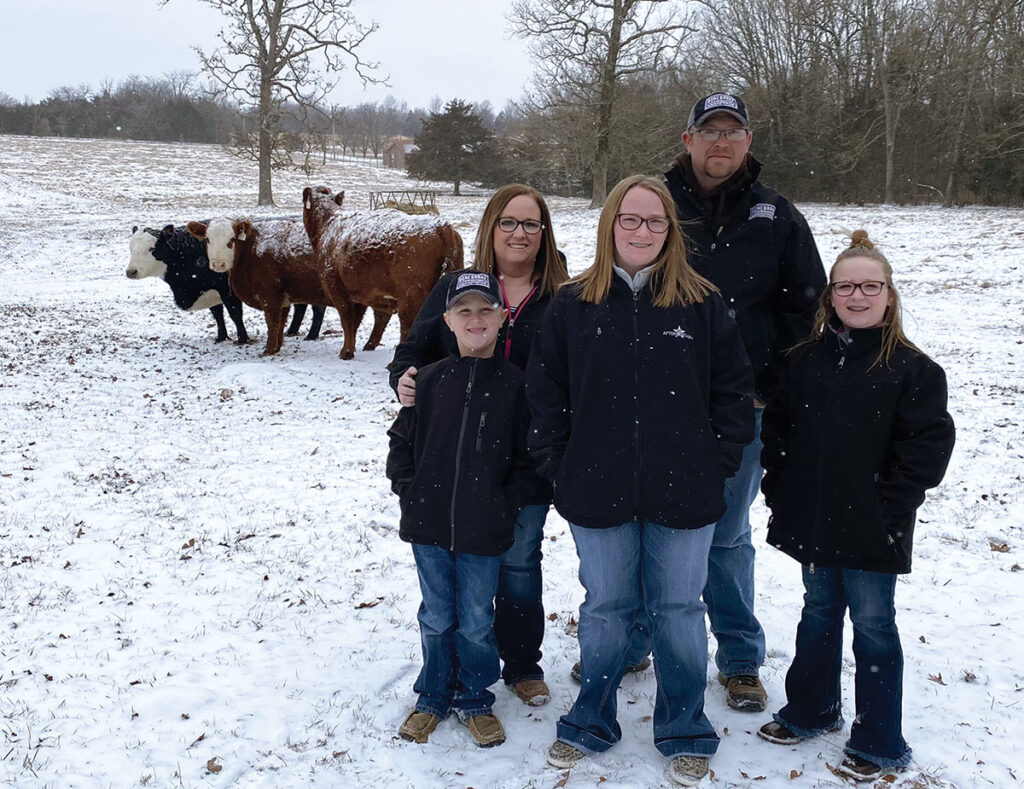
{"x": 202, "y": 582}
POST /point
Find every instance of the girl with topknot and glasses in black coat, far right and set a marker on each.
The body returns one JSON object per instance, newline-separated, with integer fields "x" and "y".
{"x": 855, "y": 435}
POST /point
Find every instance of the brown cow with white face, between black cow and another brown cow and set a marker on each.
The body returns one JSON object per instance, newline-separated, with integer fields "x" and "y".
{"x": 271, "y": 267}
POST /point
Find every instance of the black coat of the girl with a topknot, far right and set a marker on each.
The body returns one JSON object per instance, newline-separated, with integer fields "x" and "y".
{"x": 850, "y": 450}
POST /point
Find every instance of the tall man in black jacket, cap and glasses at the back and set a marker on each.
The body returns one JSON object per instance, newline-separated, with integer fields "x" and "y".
{"x": 757, "y": 248}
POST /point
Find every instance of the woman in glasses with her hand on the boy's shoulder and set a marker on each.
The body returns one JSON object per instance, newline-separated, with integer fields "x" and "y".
{"x": 517, "y": 244}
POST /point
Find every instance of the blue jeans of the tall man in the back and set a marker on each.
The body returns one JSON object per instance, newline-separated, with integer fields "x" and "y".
{"x": 730, "y": 593}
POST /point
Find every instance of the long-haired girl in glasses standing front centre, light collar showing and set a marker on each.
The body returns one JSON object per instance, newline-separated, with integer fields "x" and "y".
{"x": 642, "y": 398}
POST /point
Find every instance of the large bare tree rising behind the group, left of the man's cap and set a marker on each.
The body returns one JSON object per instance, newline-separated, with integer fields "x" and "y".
{"x": 585, "y": 50}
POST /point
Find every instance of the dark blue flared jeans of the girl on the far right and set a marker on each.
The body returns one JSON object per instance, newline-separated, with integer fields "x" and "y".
{"x": 813, "y": 684}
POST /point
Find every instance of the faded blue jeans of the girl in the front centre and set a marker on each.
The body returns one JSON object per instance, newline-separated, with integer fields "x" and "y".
{"x": 626, "y": 571}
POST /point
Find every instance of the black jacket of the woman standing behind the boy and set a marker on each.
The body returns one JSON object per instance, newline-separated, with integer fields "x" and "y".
{"x": 430, "y": 339}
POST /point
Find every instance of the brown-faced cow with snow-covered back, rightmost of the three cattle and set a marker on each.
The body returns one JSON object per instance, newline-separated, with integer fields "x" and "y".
{"x": 385, "y": 259}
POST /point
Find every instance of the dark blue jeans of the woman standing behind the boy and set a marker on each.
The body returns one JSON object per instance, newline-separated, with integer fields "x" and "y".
{"x": 519, "y": 607}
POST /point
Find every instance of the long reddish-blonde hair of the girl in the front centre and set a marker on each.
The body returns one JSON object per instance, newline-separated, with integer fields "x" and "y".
{"x": 673, "y": 280}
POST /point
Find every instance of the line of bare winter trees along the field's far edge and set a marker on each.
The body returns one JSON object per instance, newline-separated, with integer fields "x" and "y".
{"x": 851, "y": 101}
